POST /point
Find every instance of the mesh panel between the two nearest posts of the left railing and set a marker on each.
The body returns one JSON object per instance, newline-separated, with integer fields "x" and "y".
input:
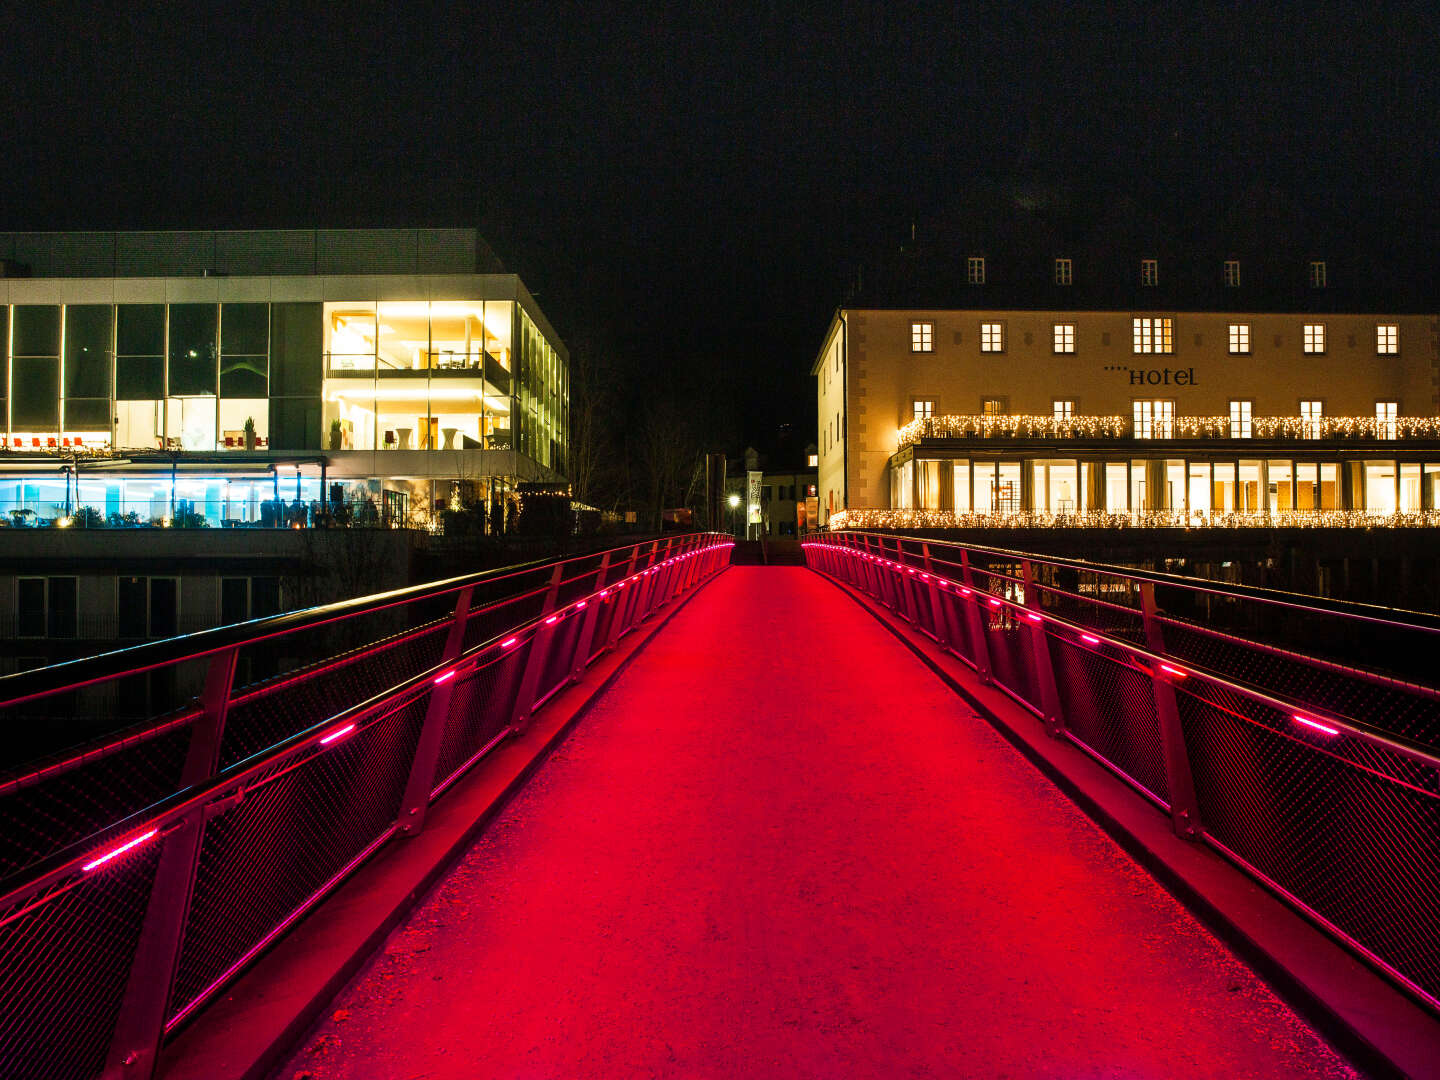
{"x": 289, "y": 837}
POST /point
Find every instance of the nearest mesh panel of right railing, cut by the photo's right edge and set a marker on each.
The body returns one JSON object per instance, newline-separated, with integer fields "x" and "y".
{"x": 1357, "y": 845}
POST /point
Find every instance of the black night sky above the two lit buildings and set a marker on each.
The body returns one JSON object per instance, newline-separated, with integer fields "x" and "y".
{"x": 692, "y": 191}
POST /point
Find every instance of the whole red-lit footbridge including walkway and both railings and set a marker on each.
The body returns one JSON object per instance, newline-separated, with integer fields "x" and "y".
{"x": 797, "y": 832}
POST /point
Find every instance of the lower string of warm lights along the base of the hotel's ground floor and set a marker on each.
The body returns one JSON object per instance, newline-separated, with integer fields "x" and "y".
{"x": 1146, "y": 519}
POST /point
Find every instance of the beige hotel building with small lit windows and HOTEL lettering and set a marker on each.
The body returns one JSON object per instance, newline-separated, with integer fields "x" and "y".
{"x": 1035, "y": 401}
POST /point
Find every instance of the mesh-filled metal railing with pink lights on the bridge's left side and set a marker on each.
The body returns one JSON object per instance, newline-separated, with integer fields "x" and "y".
{"x": 145, "y": 870}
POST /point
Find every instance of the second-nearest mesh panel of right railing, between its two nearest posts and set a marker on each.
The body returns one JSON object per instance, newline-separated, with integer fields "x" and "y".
{"x": 1110, "y": 706}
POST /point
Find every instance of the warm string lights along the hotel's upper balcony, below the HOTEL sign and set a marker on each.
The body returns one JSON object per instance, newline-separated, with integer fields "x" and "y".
{"x": 1182, "y": 427}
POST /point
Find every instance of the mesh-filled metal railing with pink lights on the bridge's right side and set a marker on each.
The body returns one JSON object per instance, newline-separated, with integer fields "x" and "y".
{"x": 1298, "y": 738}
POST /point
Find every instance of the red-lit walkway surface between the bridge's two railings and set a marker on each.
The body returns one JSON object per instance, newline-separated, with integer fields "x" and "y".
{"x": 781, "y": 846}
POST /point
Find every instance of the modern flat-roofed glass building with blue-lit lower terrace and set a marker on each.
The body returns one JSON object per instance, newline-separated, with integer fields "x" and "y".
{"x": 266, "y": 377}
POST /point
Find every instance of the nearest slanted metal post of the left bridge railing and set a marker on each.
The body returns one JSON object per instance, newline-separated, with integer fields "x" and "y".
{"x": 142, "y": 1022}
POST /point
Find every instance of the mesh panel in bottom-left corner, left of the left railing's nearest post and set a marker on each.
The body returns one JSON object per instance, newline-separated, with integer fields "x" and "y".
{"x": 64, "y": 966}
